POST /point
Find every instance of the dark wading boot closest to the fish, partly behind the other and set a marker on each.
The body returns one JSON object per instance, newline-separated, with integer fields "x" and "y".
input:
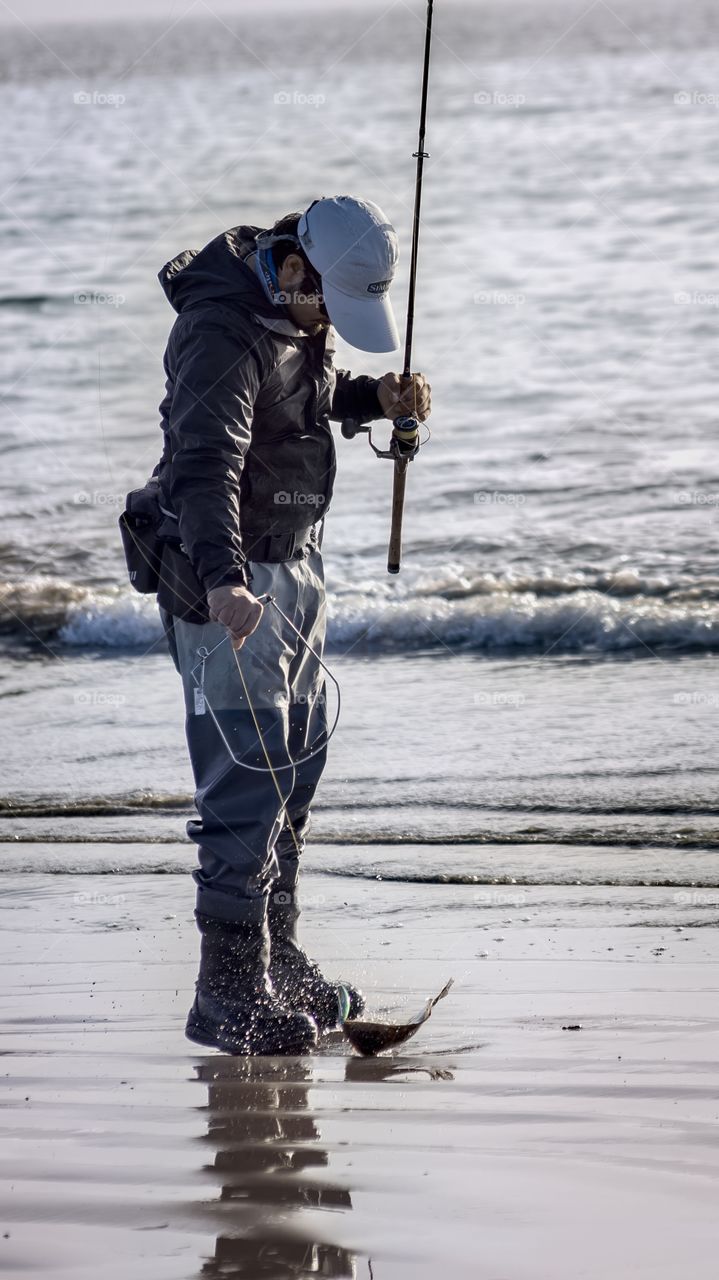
{"x": 297, "y": 981}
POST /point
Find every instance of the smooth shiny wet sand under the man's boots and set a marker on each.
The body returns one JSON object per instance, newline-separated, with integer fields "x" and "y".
{"x": 497, "y": 1146}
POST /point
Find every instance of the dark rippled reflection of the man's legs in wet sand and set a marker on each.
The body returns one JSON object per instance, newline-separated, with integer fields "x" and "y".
{"x": 267, "y": 1158}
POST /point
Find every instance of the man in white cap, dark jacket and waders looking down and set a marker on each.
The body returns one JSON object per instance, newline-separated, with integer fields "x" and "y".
{"x": 245, "y": 484}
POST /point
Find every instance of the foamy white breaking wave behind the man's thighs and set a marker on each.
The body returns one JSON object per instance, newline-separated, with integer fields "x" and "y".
{"x": 451, "y": 611}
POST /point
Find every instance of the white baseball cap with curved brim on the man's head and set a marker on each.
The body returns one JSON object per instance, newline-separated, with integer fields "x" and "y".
{"x": 355, "y": 250}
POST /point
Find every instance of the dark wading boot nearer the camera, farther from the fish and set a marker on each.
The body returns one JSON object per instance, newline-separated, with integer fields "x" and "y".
{"x": 236, "y": 1009}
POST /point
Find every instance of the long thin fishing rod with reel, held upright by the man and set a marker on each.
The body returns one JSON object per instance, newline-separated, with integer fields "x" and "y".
{"x": 405, "y": 442}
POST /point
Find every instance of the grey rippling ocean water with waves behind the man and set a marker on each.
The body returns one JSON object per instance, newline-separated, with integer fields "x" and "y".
{"x": 539, "y": 684}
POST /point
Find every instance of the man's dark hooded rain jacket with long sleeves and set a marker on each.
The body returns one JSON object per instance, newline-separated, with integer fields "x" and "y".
{"x": 249, "y": 449}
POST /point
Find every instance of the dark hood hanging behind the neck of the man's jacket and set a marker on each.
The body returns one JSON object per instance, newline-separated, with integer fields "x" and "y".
{"x": 219, "y": 273}
